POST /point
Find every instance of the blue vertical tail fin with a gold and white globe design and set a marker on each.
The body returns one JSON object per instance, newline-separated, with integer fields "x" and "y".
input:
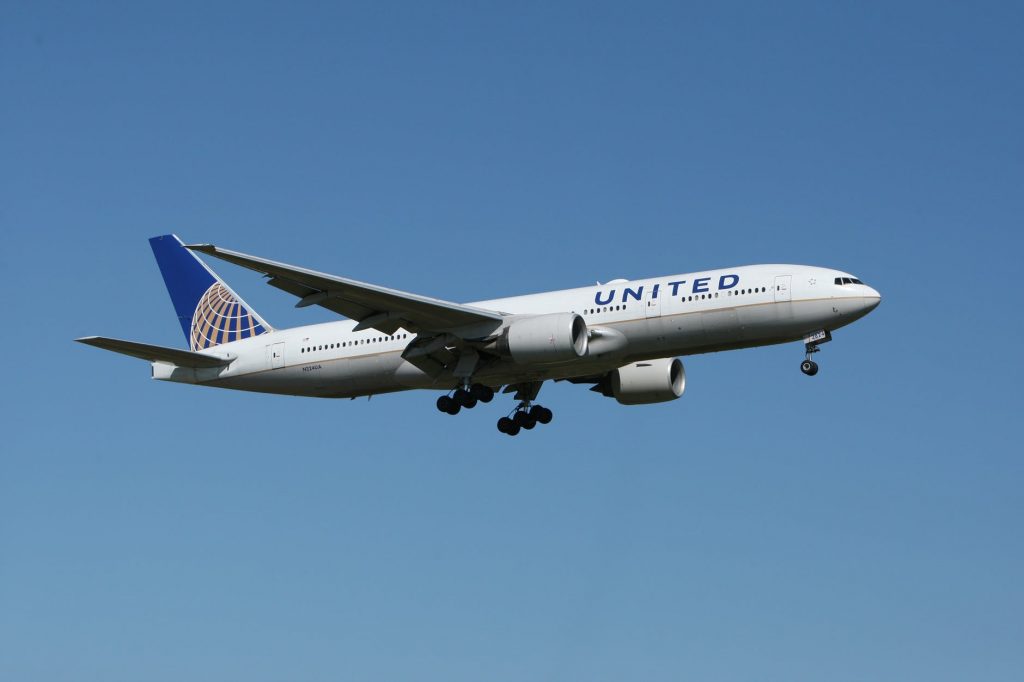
{"x": 209, "y": 312}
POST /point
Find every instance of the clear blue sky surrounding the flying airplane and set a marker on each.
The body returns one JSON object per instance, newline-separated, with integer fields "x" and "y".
{"x": 866, "y": 525}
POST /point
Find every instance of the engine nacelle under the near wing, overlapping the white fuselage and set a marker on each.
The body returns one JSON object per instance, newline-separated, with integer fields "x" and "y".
{"x": 545, "y": 339}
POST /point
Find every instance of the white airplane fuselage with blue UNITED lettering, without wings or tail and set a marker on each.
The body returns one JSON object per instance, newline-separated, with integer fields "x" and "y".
{"x": 682, "y": 315}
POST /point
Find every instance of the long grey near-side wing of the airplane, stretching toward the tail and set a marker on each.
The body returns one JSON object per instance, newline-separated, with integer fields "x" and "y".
{"x": 373, "y": 307}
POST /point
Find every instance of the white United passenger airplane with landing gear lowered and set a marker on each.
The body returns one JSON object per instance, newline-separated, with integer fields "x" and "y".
{"x": 623, "y": 337}
